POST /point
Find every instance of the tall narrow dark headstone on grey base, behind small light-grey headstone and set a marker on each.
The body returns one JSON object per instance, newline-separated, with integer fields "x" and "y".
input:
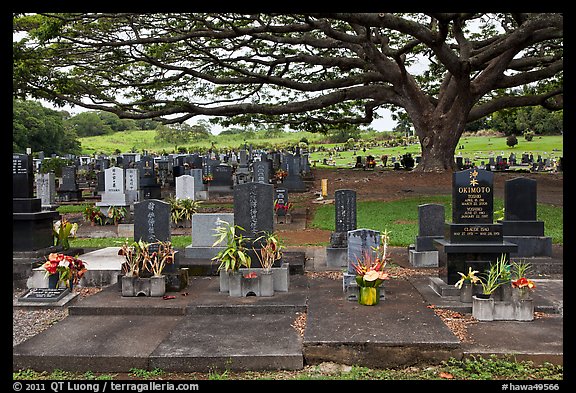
{"x": 345, "y": 220}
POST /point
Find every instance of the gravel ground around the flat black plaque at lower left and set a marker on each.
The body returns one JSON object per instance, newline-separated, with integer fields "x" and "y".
{"x": 27, "y": 322}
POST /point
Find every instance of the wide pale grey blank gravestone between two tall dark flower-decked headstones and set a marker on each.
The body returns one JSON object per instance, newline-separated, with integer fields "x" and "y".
{"x": 204, "y": 227}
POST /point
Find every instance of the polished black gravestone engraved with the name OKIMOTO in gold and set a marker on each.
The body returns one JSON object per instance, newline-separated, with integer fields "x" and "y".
{"x": 472, "y": 239}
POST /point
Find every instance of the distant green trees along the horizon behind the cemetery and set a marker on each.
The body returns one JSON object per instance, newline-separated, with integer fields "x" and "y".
{"x": 57, "y": 132}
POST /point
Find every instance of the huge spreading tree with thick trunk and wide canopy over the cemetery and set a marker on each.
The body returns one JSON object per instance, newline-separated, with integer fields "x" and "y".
{"x": 312, "y": 71}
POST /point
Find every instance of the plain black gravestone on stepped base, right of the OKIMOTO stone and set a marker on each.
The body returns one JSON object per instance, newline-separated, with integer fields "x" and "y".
{"x": 521, "y": 225}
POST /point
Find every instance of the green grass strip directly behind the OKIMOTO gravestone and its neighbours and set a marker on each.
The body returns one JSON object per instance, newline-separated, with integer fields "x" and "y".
{"x": 400, "y": 217}
